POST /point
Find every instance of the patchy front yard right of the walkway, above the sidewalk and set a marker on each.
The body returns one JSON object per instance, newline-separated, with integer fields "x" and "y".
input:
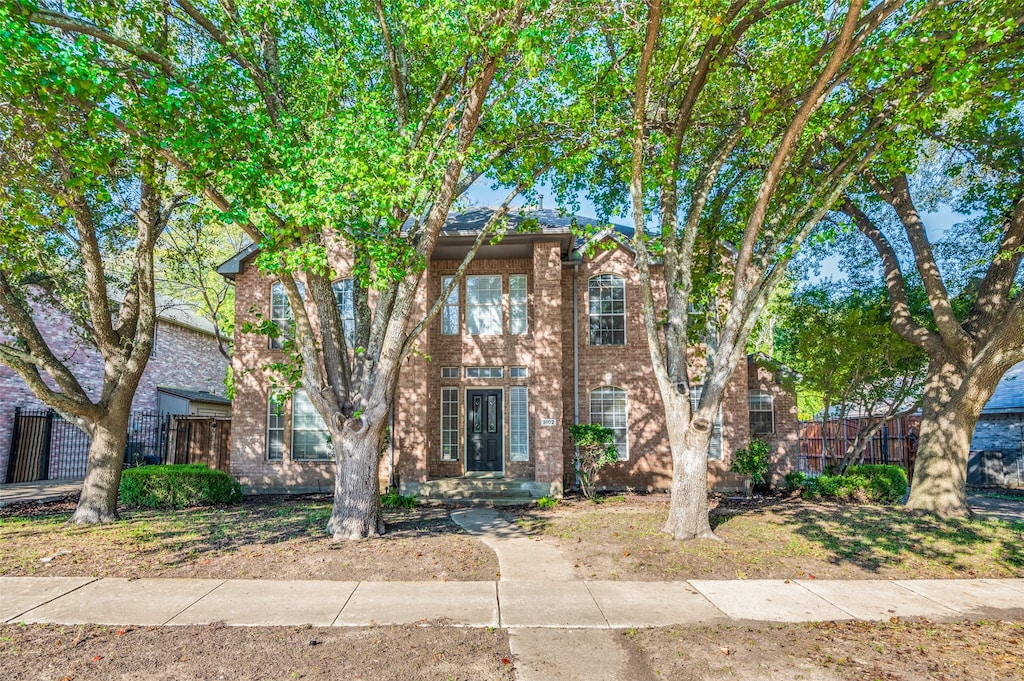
{"x": 776, "y": 538}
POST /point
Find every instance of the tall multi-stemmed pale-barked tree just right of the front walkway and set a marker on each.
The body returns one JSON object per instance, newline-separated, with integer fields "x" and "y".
{"x": 749, "y": 120}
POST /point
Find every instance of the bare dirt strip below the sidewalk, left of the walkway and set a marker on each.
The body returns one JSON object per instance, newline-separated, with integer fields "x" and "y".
{"x": 79, "y": 654}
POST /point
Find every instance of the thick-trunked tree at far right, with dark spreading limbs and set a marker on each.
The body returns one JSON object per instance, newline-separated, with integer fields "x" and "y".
{"x": 974, "y": 332}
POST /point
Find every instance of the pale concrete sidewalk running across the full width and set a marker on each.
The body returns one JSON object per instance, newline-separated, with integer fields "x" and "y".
{"x": 513, "y": 605}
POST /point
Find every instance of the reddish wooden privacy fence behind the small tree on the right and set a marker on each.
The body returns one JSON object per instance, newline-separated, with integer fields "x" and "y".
{"x": 897, "y": 443}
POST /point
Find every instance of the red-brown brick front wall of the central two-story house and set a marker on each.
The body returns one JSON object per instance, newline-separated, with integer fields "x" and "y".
{"x": 546, "y": 352}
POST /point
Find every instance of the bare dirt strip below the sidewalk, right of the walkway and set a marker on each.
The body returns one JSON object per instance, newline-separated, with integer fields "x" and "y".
{"x": 905, "y": 651}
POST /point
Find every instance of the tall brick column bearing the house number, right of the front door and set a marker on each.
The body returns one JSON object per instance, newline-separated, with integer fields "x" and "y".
{"x": 546, "y": 395}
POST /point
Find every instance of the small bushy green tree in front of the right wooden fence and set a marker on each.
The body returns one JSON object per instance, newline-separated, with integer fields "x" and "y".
{"x": 847, "y": 354}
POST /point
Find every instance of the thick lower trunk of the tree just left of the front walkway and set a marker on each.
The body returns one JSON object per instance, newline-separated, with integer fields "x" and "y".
{"x": 357, "y": 513}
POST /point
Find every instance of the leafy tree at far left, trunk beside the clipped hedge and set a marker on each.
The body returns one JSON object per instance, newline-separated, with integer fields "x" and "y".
{"x": 80, "y": 211}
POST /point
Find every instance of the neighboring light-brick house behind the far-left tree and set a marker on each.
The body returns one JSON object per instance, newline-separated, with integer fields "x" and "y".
{"x": 186, "y": 373}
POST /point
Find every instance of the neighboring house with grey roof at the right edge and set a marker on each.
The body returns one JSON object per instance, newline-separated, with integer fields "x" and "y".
{"x": 998, "y": 446}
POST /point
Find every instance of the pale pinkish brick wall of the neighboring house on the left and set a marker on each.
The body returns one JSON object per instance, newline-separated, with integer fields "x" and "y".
{"x": 184, "y": 358}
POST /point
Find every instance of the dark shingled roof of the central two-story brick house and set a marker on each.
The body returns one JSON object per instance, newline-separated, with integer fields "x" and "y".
{"x": 578, "y": 231}
